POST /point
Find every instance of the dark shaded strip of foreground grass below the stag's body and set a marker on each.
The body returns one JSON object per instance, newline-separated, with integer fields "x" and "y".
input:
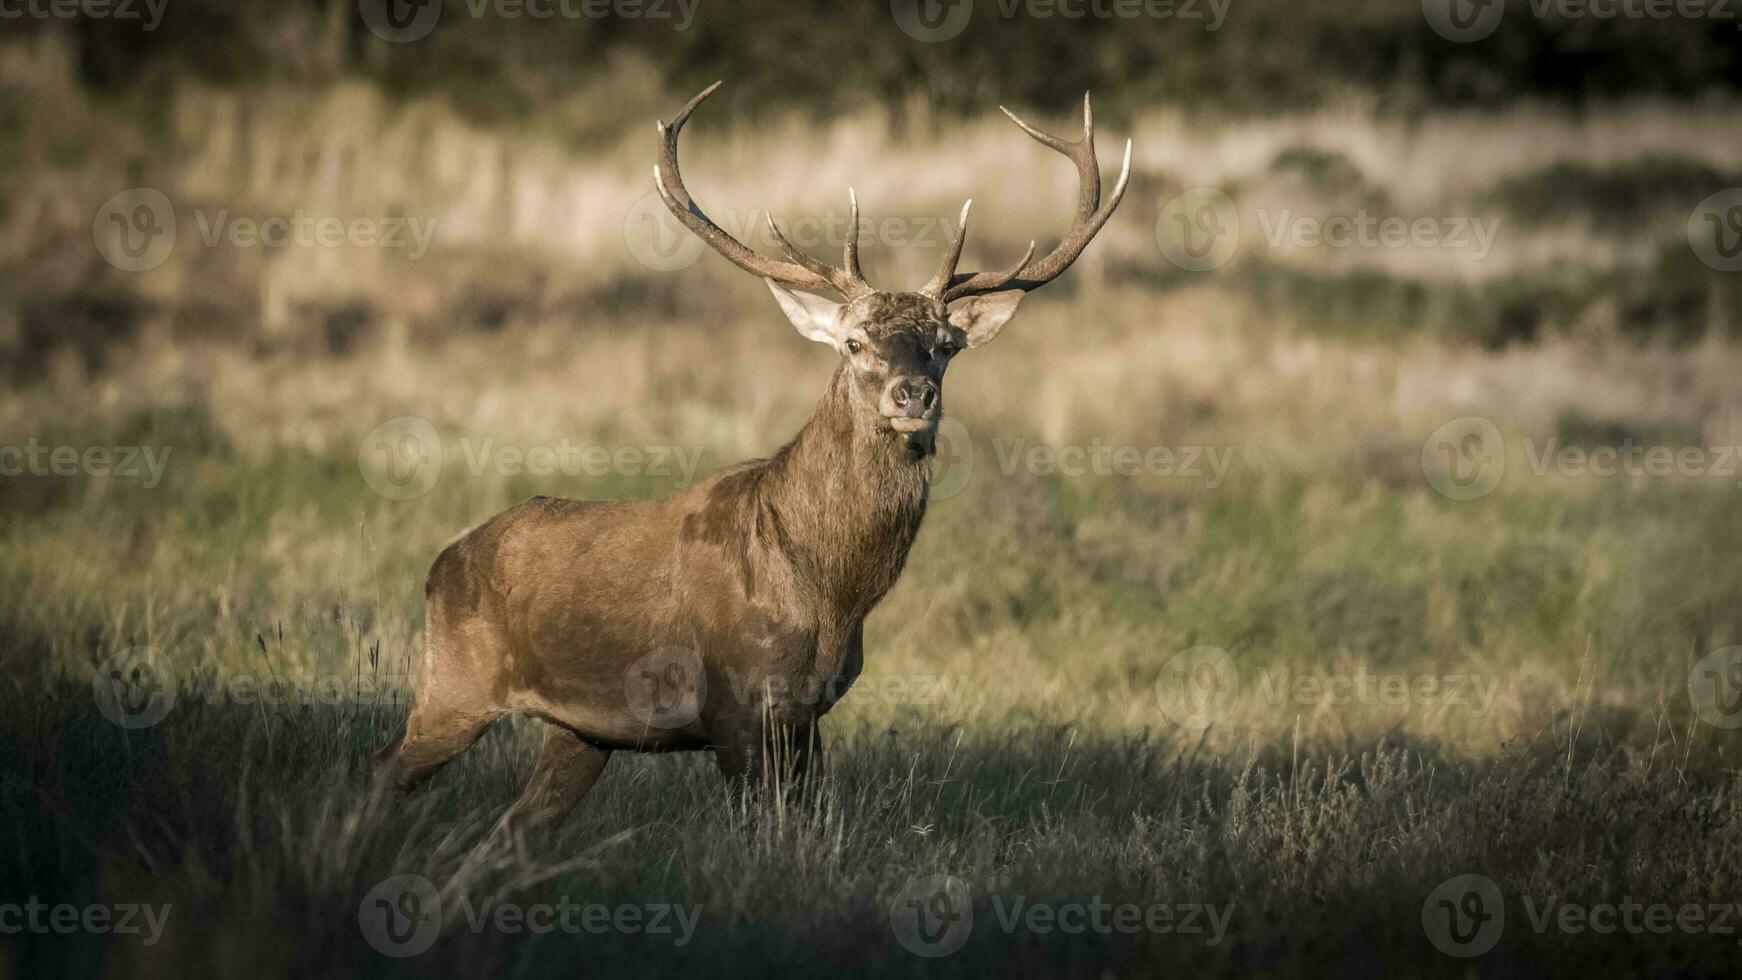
{"x": 262, "y": 835}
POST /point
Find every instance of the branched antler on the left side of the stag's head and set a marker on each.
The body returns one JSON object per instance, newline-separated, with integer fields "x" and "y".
{"x": 804, "y": 271}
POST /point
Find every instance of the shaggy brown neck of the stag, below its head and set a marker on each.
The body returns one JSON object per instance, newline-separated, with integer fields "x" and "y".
{"x": 849, "y": 499}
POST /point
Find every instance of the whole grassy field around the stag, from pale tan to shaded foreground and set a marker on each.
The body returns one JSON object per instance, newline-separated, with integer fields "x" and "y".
{"x": 1421, "y": 664}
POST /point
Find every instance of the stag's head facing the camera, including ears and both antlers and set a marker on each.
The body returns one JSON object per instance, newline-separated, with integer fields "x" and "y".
{"x": 896, "y": 346}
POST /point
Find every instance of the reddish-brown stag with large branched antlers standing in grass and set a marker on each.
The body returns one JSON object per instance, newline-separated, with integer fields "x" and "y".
{"x": 715, "y": 617}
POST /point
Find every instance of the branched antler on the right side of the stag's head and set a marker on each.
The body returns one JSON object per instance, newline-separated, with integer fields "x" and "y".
{"x": 1091, "y": 215}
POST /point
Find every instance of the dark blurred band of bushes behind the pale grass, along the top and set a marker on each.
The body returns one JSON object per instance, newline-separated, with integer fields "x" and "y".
{"x": 821, "y": 57}
